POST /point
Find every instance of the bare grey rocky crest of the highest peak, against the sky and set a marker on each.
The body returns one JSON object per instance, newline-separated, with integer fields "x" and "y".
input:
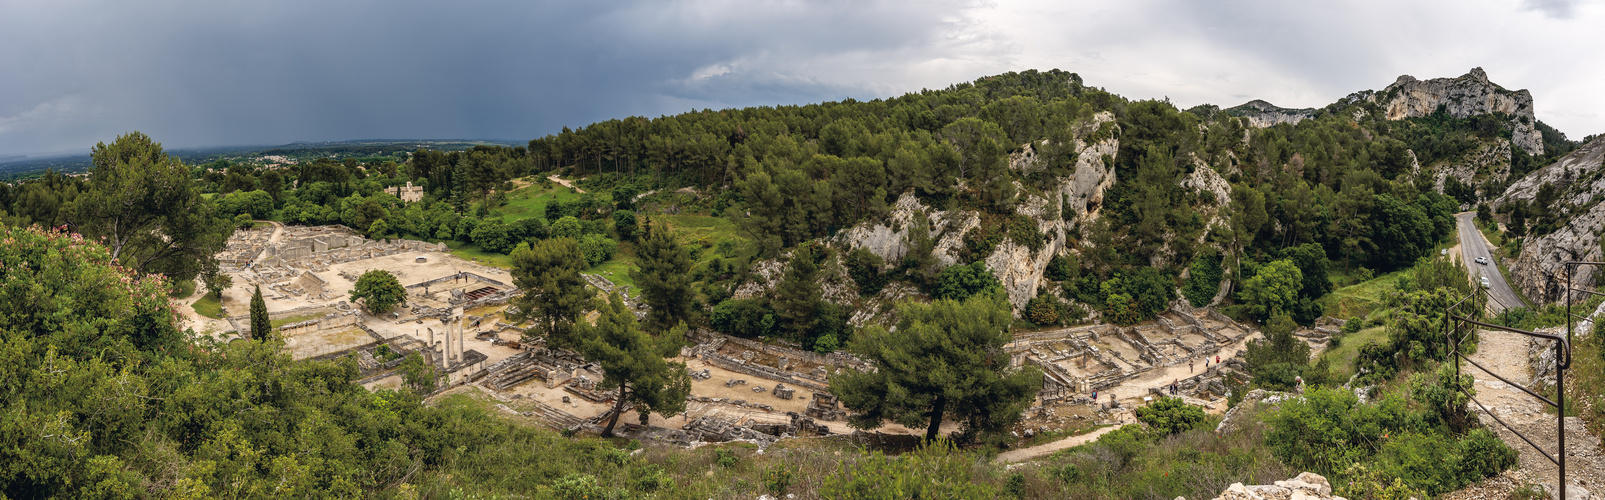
{"x": 1466, "y": 97}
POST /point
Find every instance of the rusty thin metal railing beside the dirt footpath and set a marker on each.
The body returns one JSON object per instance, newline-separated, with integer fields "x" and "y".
{"x": 1461, "y": 323}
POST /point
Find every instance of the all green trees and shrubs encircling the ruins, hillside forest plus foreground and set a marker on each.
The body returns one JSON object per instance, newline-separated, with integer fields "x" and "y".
{"x": 107, "y": 398}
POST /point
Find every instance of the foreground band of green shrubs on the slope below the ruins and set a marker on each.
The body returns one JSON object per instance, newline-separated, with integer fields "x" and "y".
{"x": 105, "y": 398}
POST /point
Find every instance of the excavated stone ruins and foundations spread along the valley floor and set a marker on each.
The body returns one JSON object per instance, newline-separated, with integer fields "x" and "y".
{"x": 741, "y": 389}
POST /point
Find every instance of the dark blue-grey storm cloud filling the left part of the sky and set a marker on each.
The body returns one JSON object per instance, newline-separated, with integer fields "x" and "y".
{"x": 235, "y": 73}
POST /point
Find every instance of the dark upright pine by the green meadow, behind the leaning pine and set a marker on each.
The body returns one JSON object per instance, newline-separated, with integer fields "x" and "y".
{"x": 665, "y": 278}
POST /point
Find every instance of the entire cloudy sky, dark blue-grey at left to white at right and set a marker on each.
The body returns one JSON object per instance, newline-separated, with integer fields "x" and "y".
{"x": 227, "y": 73}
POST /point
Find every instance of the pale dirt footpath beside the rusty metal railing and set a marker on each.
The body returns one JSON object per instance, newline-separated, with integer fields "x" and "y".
{"x": 1506, "y": 355}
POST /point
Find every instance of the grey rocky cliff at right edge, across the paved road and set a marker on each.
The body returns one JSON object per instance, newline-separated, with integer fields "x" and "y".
{"x": 1579, "y": 179}
